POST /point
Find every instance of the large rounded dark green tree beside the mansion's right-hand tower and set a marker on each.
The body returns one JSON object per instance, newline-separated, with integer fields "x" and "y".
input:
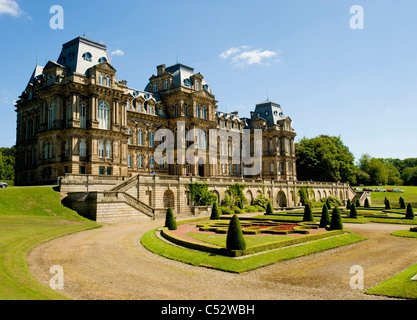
{"x": 325, "y": 158}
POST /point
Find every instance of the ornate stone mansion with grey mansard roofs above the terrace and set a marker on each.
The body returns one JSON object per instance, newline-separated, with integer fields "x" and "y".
{"x": 75, "y": 117}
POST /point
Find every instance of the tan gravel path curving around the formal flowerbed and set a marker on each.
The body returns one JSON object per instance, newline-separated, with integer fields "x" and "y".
{"x": 111, "y": 263}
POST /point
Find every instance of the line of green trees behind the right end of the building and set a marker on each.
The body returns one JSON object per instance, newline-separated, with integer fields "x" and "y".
{"x": 326, "y": 158}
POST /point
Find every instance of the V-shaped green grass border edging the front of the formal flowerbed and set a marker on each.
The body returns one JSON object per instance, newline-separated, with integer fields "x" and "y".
{"x": 223, "y": 263}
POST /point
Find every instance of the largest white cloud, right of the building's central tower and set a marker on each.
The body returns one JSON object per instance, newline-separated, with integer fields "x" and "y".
{"x": 241, "y": 56}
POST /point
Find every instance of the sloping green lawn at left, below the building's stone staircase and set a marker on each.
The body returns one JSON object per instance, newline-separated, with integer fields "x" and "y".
{"x": 29, "y": 217}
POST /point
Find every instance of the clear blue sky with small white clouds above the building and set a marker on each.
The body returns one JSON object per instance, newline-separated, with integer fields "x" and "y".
{"x": 330, "y": 79}
